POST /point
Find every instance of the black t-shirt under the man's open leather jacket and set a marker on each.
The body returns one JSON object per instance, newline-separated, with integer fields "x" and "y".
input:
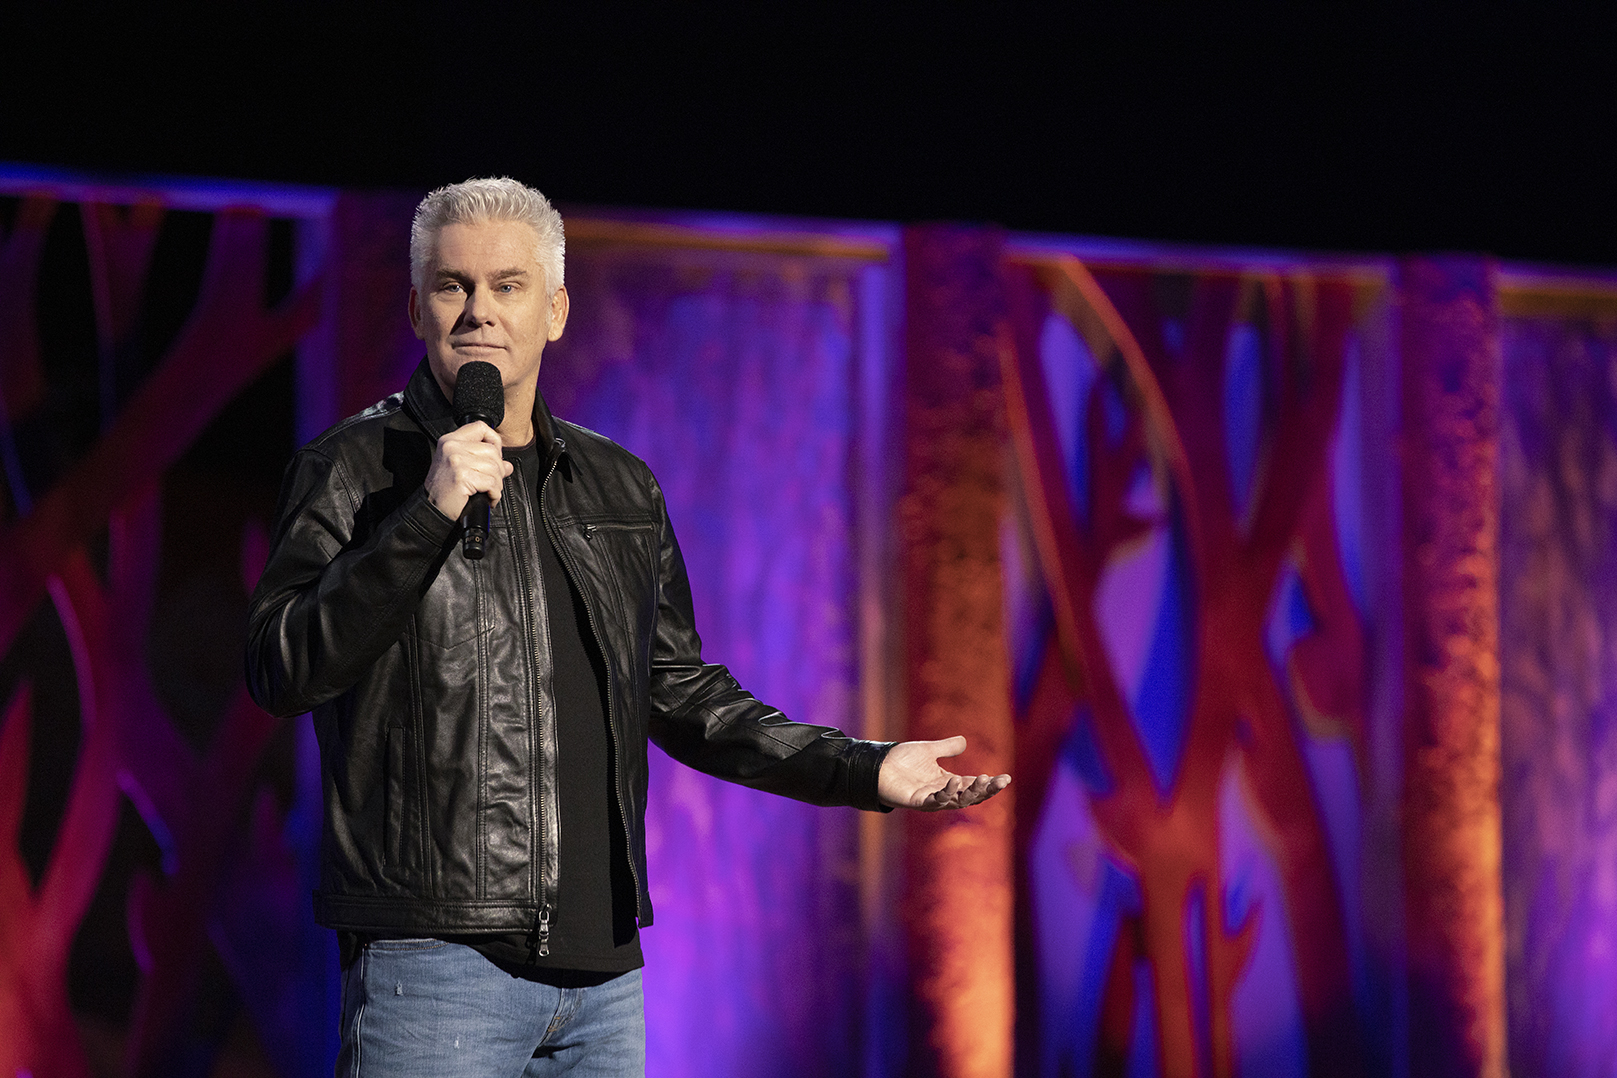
{"x": 593, "y": 930}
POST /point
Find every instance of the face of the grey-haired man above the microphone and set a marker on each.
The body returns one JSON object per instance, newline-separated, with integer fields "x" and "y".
{"x": 484, "y": 298}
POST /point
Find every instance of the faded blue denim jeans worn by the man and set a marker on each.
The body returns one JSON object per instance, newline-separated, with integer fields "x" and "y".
{"x": 429, "y": 1009}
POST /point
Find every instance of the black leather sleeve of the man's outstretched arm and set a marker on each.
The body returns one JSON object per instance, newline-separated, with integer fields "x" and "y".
{"x": 706, "y": 720}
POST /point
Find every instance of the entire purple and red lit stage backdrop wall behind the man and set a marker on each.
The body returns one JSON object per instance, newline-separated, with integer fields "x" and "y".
{"x": 1230, "y": 557}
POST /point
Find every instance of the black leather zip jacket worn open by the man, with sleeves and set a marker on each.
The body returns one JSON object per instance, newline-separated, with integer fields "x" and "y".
{"x": 429, "y": 675}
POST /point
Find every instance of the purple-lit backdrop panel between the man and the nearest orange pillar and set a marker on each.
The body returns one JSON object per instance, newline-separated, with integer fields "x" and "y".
{"x": 735, "y": 379}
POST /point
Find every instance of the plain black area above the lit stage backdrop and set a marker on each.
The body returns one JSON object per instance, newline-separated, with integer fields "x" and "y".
{"x": 1332, "y": 127}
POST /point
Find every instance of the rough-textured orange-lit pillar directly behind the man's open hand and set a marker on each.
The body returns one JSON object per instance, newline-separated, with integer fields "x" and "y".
{"x": 960, "y": 885}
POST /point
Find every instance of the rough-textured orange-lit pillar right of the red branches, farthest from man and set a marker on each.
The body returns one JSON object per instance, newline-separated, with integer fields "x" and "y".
{"x": 1451, "y": 725}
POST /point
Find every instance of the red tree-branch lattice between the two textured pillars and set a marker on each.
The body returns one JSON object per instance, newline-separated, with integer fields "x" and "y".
{"x": 1241, "y": 710}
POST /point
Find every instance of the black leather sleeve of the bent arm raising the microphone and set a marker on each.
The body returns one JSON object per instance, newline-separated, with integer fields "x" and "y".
{"x": 332, "y": 602}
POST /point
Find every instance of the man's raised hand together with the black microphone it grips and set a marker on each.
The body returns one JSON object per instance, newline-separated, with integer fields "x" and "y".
{"x": 468, "y": 473}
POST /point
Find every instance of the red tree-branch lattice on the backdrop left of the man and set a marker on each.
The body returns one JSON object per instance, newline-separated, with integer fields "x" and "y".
{"x": 196, "y": 806}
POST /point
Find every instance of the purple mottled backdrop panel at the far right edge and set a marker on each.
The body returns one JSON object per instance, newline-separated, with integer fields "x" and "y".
{"x": 1560, "y": 705}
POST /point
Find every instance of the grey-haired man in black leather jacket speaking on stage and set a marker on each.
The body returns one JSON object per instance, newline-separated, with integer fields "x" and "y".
{"x": 484, "y": 723}
